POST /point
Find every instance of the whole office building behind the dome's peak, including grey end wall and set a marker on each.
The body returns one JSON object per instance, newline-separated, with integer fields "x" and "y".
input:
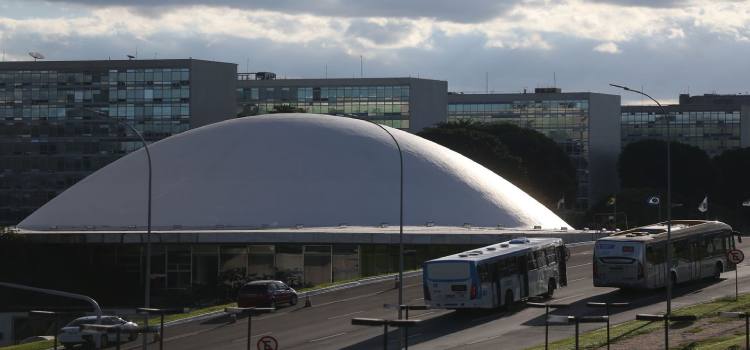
{"x": 409, "y": 104}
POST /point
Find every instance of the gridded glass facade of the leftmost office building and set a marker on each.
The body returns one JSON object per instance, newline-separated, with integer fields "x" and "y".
{"x": 48, "y": 142}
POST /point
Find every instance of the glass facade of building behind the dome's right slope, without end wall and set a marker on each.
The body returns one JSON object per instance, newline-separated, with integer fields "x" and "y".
{"x": 565, "y": 121}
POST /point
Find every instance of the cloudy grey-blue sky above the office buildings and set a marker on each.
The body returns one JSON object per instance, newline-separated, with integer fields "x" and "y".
{"x": 665, "y": 47}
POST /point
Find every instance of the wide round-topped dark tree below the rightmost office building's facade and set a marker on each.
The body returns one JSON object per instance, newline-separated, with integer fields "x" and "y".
{"x": 644, "y": 164}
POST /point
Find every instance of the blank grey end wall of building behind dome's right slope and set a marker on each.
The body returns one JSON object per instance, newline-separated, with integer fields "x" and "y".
{"x": 604, "y": 145}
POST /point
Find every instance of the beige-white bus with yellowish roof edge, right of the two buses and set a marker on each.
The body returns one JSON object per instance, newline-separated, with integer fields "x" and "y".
{"x": 637, "y": 258}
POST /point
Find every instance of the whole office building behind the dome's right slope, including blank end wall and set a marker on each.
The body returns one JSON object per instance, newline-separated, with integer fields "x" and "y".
{"x": 585, "y": 124}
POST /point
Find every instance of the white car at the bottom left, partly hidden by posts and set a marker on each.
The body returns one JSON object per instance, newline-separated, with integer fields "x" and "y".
{"x": 71, "y": 334}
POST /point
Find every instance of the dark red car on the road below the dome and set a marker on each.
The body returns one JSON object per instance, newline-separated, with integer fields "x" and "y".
{"x": 266, "y": 294}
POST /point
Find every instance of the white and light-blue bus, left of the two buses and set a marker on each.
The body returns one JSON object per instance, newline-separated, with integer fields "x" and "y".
{"x": 496, "y": 275}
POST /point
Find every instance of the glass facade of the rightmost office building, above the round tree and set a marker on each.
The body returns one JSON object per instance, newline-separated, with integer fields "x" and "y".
{"x": 712, "y": 131}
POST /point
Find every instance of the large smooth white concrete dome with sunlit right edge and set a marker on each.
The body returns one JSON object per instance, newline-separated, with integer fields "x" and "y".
{"x": 286, "y": 169}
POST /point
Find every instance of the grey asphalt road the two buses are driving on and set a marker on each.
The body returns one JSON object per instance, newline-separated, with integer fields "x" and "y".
{"x": 327, "y": 325}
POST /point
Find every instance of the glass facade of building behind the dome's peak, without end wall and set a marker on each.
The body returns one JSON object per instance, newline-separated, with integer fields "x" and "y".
{"x": 387, "y": 105}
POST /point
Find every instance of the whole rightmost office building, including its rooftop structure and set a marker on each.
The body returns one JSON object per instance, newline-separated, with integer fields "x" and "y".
{"x": 713, "y": 123}
